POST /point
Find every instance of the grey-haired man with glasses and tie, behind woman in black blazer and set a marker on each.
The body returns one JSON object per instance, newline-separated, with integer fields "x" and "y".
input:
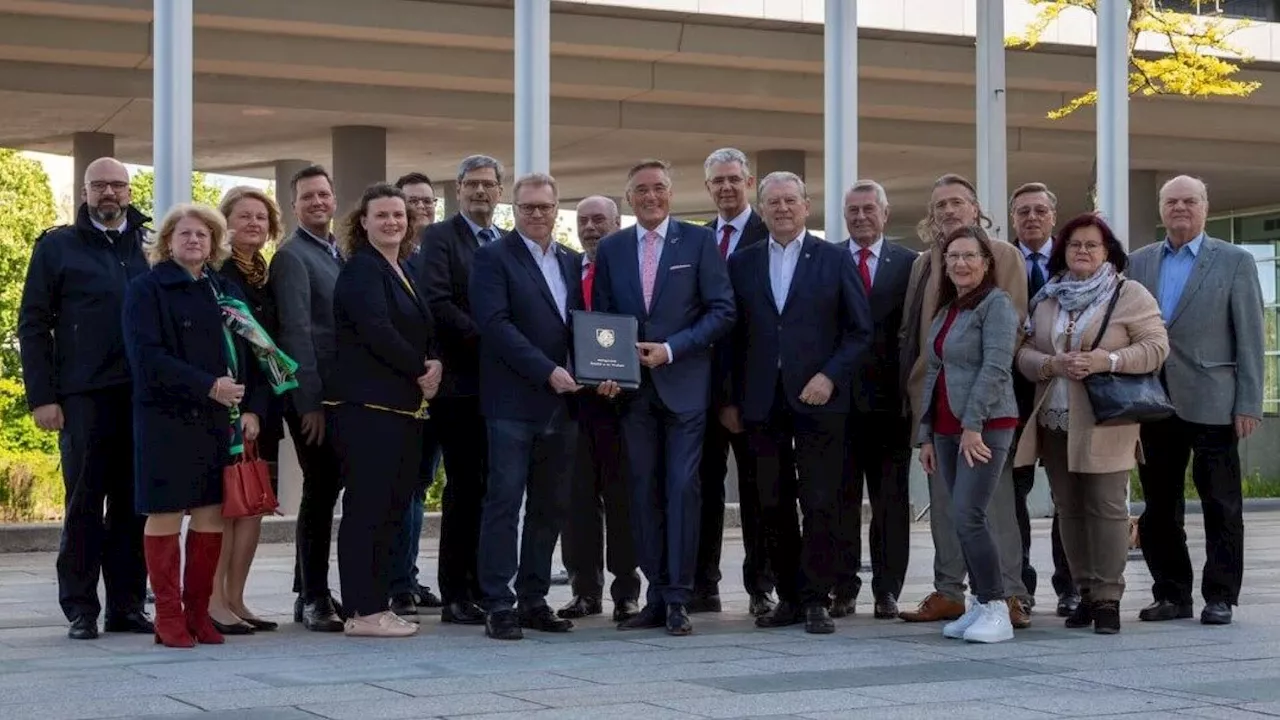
{"x": 444, "y": 274}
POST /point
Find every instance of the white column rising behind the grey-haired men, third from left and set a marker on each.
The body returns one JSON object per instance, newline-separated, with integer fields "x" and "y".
{"x": 840, "y": 112}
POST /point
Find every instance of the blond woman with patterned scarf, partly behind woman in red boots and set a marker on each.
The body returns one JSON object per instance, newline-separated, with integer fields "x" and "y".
{"x": 253, "y": 224}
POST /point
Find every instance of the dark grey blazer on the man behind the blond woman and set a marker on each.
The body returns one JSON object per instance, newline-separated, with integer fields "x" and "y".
{"x": 303, "y": 276}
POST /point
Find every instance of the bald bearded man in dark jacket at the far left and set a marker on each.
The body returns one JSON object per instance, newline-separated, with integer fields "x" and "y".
{"x": 77, "y": 385}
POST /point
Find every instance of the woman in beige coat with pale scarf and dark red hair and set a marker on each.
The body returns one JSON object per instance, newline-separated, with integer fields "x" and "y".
{"x": 1087, "y": 466}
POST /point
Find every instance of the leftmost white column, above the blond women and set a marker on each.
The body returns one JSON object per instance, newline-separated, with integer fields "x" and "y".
{"x": 172, "y": 80}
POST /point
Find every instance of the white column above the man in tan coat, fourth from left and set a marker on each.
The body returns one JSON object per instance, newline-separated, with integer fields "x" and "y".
{"x": 993, "y": 134}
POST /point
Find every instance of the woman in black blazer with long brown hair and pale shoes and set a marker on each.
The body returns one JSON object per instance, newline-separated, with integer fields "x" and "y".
{"x": 386, "y": 375}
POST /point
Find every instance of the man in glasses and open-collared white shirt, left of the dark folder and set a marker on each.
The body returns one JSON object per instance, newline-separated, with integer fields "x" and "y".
{"x": 523, "y": 290}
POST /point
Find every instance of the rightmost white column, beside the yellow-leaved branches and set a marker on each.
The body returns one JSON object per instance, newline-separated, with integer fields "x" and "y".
{"x": 1113, "y": 115}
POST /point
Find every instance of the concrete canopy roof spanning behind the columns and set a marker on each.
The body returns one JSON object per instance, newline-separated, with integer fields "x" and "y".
{"x": 275, "y": 76}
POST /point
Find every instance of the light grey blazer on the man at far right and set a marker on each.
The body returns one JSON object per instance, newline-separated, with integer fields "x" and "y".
{"x": 1214, "y": 371}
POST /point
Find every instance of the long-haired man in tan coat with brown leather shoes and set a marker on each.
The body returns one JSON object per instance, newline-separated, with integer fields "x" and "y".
{"x": 954, "y": 204}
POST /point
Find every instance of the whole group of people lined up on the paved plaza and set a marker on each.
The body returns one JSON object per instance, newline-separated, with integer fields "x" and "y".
{"x": 395, "y": 341}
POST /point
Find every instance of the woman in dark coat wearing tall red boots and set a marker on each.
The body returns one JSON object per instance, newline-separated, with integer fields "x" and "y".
{"x": 196, "y": 394}
